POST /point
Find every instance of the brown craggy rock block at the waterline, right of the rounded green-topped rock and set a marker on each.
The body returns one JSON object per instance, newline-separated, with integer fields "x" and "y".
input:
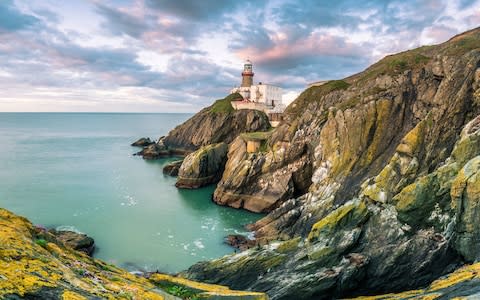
{"x": 260, "y": 182}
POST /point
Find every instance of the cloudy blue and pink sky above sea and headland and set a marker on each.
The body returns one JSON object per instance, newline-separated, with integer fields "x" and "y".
{"x": 179, "y": 55}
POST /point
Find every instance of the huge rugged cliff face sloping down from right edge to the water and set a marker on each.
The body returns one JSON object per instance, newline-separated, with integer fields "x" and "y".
{"x": 373, "y": 180}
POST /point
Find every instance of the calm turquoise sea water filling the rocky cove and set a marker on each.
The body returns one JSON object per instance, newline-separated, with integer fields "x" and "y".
{"x": 77, "y": 171}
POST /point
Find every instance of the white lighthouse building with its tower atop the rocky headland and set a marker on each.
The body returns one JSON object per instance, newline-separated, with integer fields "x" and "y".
{"x": 265, "y": 97}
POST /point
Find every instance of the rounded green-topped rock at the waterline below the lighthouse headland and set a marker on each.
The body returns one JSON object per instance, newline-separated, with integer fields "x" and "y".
{"x": 202, "y": 167}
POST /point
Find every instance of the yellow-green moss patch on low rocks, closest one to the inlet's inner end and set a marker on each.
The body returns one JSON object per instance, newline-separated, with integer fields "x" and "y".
{"x": 350, "y": 214}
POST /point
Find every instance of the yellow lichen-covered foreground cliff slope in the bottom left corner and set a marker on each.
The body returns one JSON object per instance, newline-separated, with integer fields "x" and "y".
{"x": 35, "y": 265}
